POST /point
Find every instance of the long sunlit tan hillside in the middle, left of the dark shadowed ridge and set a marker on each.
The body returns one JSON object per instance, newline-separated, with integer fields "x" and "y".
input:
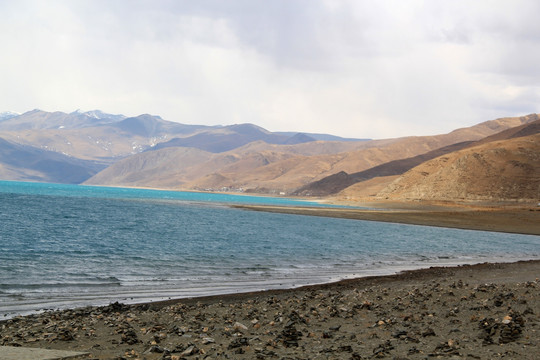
{"x": 266, "y": 168}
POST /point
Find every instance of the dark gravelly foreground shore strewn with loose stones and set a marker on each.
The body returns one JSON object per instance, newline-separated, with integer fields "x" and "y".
{"x": 485, "y": 311}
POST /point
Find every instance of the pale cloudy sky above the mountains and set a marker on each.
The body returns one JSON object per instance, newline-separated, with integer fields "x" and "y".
{"x": 353, "y": 68}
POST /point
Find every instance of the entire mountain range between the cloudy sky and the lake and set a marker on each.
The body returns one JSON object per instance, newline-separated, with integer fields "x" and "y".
{"x": 97, "y": 148}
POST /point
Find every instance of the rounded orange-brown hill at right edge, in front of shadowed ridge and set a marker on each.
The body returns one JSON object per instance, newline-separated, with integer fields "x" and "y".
{"x": 494, "y": 171}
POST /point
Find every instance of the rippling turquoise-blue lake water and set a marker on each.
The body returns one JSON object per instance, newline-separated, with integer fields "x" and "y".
{"x": 67, "y": 245}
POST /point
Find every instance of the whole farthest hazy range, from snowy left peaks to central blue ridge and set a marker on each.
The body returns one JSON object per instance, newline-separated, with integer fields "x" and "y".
{"x": 96, "y": 135}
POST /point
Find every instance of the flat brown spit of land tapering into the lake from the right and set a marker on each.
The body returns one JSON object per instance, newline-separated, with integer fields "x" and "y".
{"x": 518, "y": 220}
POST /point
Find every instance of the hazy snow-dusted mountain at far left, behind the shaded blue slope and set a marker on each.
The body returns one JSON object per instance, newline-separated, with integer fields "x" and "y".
{"x": 92, "y": 135}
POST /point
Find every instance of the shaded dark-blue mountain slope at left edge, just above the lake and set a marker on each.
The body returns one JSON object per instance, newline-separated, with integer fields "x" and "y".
{"x": 19, "y": 162}
